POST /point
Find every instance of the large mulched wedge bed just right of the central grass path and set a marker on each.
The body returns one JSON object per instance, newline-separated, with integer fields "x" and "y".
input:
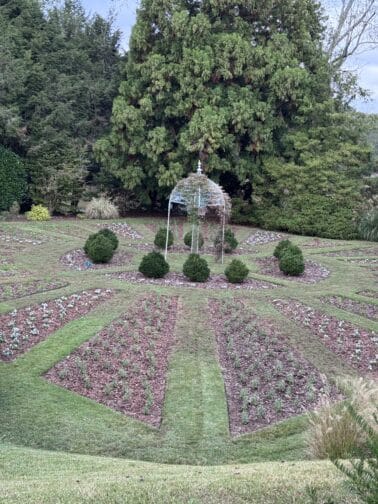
{"x": 266, "y": 380}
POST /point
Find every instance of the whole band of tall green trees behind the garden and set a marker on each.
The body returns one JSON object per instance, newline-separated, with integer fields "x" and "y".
{"x": 249, "y": 87}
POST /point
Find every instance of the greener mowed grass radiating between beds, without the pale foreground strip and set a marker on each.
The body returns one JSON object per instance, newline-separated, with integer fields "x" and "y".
{"x": 194, "y": 430}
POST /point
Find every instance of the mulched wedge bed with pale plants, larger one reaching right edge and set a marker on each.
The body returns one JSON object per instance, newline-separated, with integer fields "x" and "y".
{"x": 355, "y": 345}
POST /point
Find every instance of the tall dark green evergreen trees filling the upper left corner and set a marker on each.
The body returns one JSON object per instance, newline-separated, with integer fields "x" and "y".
{"x": 59, "y": 76}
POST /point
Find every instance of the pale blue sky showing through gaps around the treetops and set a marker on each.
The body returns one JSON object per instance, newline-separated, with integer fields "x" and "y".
{"x": 366, "y": 63}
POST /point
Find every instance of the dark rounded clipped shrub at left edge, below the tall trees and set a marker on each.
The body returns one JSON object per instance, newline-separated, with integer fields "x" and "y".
{"x": 12, "y": 179}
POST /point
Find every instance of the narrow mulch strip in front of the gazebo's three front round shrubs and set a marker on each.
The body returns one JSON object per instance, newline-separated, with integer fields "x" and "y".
{"x": 179, "y": 280}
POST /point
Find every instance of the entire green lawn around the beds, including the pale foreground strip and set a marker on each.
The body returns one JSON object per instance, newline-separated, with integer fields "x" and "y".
{"x": 35, "y": 414}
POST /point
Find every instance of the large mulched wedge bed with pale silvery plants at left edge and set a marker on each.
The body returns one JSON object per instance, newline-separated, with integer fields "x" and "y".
{"x": 22, "y": 329}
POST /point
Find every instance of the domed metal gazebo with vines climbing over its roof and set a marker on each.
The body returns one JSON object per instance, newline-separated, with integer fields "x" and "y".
{"x": 198, "y": 194}
